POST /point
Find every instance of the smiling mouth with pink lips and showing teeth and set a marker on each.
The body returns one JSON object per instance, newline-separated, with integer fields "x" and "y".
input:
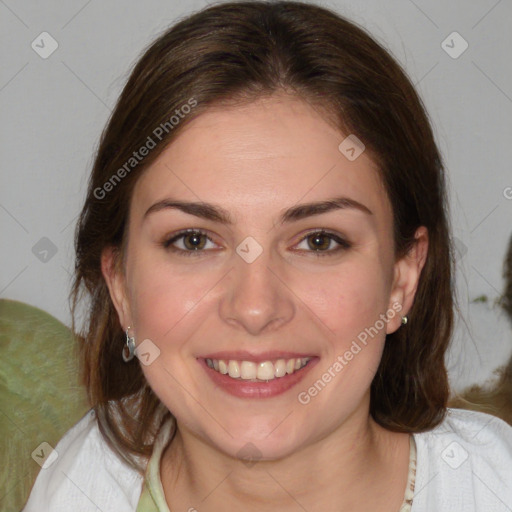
{"x": 252, "y": 378}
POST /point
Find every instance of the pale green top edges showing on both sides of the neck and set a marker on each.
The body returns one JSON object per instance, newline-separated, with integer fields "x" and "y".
{"x": 152, "y": 498}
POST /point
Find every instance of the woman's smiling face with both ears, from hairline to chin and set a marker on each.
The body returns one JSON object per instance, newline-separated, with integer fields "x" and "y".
{"x": 277, "y": 283}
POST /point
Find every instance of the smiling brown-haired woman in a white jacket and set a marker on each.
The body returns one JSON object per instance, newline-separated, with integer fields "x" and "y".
{"x": 265, "y": 247}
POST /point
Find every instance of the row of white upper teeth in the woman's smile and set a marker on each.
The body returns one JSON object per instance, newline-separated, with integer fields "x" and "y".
{"x": 265, "y": 370}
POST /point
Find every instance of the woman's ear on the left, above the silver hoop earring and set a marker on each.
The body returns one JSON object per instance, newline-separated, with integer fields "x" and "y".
{"x": 116, "y": 283}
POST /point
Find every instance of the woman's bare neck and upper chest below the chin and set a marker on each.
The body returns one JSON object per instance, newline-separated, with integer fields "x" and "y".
{"x": 359, "y": 466}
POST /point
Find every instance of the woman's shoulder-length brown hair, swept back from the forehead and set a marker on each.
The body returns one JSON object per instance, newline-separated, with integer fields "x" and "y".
{"x": 240, "y": 51}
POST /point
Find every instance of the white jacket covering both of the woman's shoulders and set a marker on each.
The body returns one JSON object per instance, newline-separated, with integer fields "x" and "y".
{"x": 463, "y": 465}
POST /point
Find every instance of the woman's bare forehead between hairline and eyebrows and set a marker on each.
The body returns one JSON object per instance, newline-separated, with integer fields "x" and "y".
{"x": 277, "y": 151}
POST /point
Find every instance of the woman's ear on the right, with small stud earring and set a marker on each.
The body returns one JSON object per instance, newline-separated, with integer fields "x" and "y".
{"x": 407, "y": 273}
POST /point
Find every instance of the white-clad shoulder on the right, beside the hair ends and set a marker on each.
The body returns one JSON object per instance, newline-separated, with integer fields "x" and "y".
{"x": 465, "y": 463}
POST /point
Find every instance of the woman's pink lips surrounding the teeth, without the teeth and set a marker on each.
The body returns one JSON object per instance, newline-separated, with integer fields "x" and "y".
{"x": 246, "y": 389}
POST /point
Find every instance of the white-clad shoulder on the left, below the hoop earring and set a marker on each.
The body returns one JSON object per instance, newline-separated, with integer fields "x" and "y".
{"x": 81, "y": 472}
